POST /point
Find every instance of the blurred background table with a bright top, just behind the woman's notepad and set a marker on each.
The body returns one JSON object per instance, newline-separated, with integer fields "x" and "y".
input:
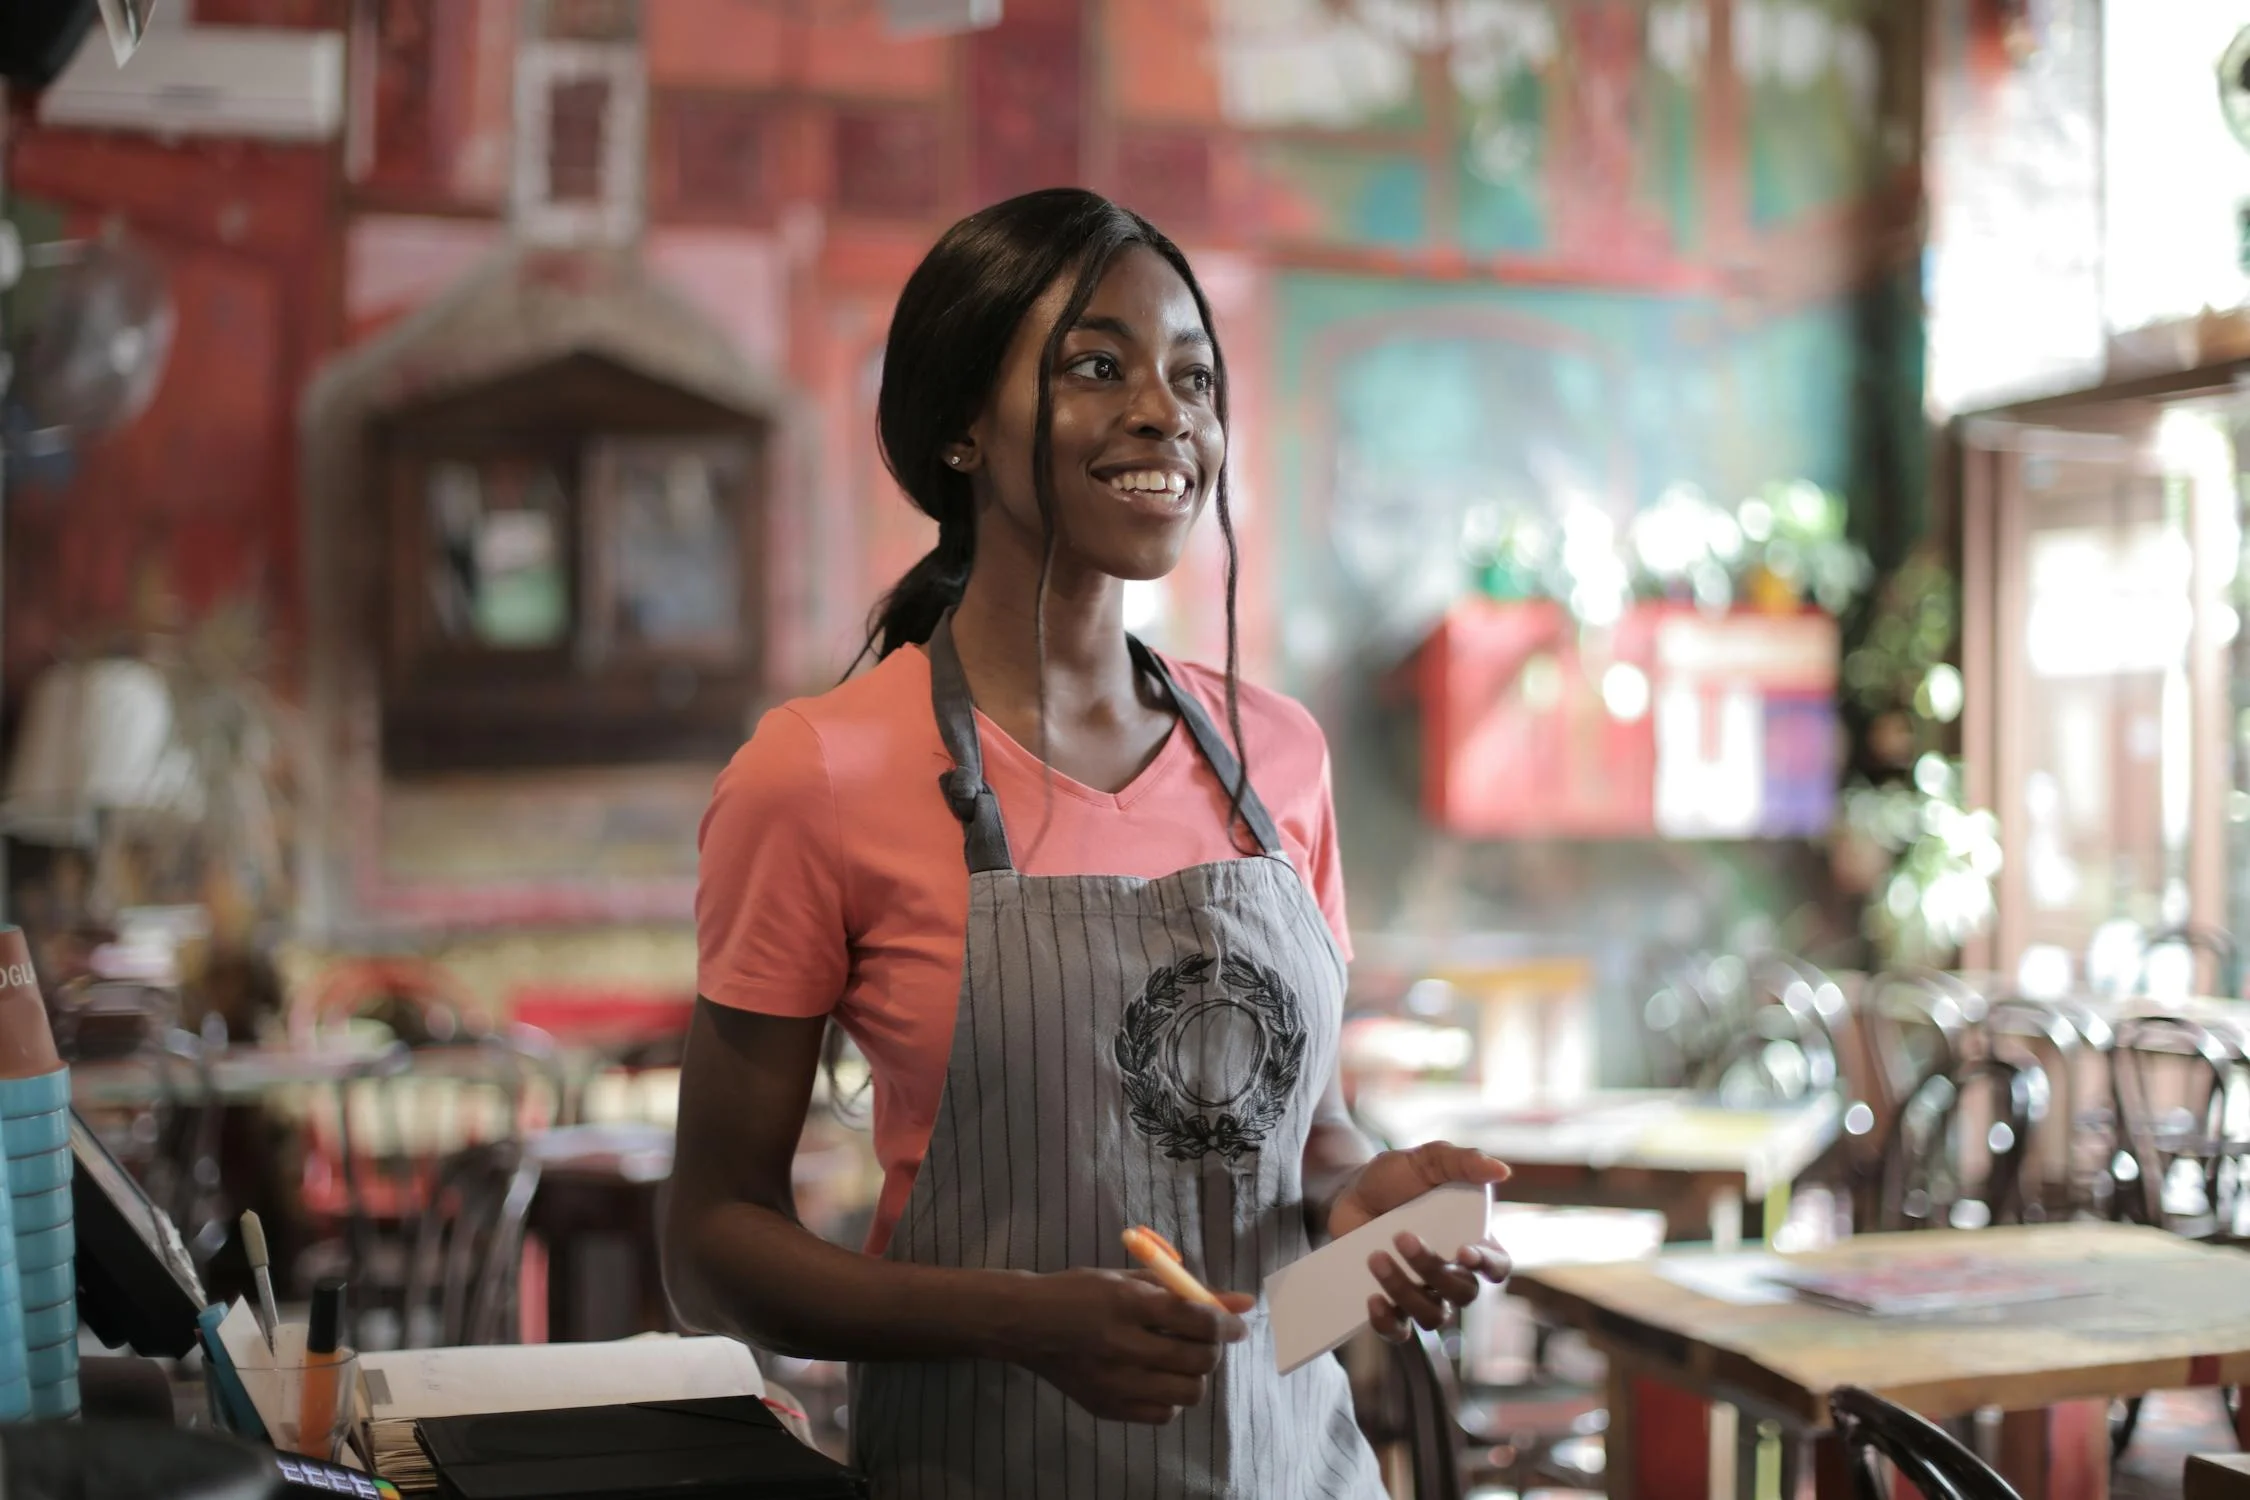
{"x": 1628, "y": 1148}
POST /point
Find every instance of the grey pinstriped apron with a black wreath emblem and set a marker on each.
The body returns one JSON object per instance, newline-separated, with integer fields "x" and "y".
{"x": 1128, "y": 1051}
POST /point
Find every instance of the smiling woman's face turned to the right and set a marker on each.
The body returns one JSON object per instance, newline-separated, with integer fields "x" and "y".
{"x": 1135, "y": 422}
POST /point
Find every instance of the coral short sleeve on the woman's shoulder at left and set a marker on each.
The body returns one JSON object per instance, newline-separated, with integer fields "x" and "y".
{"x": 771, "y": 928}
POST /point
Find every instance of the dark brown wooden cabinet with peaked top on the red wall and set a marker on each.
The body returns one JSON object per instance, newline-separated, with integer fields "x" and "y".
{"x": 575, "y": 575}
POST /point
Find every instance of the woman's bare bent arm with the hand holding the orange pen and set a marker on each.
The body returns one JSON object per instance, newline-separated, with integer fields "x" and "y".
{"x": 737, "y": 1260}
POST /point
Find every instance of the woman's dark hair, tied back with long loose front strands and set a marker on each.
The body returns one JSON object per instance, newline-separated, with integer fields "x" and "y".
{"x": 942, "y": 361}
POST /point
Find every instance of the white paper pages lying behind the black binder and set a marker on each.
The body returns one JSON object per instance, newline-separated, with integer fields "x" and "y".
{"x": 478, "y": 1380}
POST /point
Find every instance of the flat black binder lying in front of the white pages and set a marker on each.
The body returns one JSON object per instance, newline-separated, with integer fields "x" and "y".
{"x": 645, "y": 1452}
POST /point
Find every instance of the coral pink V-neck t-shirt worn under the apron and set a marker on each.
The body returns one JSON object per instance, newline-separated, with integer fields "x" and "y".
{"x": 834, "y": 876}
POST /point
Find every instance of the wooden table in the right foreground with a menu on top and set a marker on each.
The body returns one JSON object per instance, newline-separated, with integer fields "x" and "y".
{"x": 2161, "y": 1314}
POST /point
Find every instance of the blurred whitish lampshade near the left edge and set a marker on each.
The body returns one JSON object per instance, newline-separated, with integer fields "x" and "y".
{"x": 96, "y": 741}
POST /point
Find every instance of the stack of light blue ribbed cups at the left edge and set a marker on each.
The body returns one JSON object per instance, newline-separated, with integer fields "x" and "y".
{"x": 35, "y": 1130}
